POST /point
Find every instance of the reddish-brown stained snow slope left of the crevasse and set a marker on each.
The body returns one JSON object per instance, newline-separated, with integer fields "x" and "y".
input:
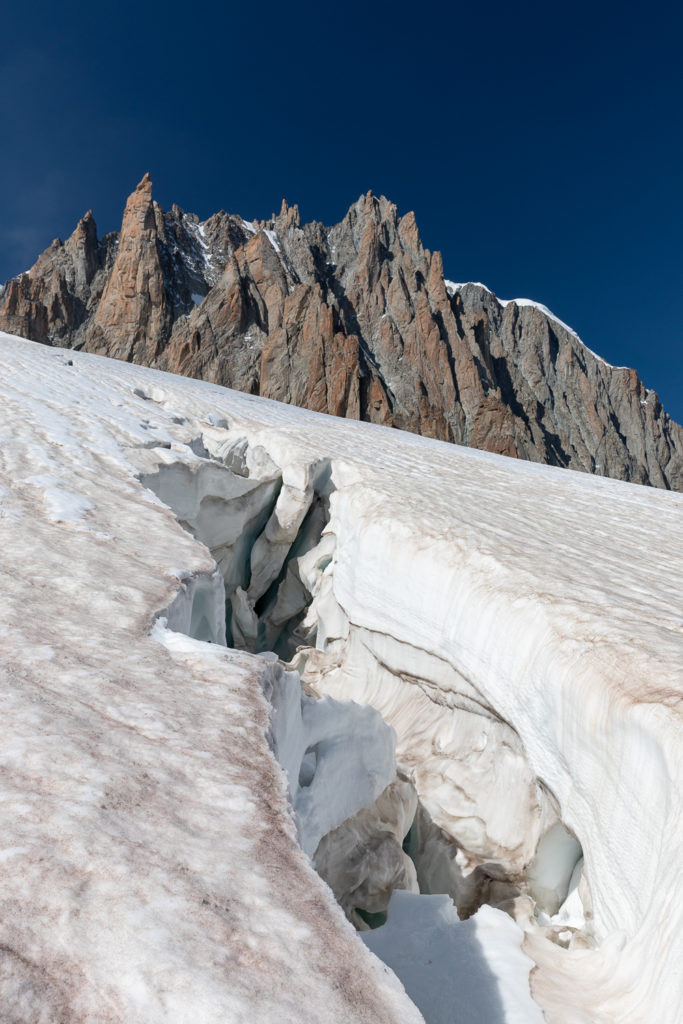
{"x": 150, "y": 867}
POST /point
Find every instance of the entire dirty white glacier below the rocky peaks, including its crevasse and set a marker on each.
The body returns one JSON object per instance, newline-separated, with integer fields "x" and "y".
{"x": 468, "y": 668}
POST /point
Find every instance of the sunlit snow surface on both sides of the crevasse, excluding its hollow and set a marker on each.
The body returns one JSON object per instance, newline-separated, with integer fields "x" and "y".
{"x": 150, "y": 866}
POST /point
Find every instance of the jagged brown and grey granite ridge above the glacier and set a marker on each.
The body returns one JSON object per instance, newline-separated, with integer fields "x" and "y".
{"x": 357, "y": 321}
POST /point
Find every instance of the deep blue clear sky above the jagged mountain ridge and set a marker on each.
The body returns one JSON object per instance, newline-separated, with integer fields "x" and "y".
{"x": 540, "y": 146}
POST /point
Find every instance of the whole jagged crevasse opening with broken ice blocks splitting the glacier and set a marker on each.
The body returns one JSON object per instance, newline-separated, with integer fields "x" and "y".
{"x": 413, "y": 797}
